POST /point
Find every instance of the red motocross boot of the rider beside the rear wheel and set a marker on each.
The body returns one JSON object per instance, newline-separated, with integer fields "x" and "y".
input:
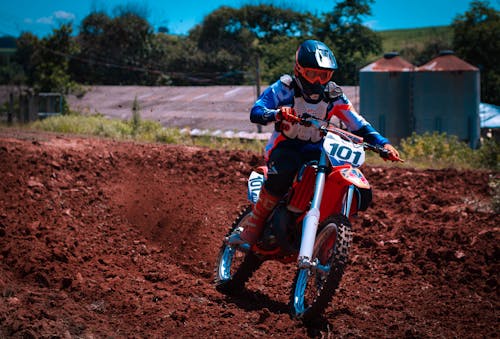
{"x": 253, "y": 222}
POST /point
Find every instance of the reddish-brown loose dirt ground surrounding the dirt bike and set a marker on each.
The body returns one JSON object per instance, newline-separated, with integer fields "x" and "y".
{"x": 118, "y": 239}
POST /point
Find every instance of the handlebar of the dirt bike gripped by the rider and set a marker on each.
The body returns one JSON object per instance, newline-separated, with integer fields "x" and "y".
{"x": 309, "y": 120}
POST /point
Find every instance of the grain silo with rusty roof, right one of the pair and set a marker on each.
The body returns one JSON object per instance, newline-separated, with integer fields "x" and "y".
{"x": 446, "y": 98}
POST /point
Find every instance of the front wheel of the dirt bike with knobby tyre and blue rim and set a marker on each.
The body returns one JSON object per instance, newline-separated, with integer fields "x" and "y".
{"x": 313, "y": 288}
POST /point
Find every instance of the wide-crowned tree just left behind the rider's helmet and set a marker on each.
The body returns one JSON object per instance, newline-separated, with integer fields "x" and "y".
{"x": 230, "y": 40}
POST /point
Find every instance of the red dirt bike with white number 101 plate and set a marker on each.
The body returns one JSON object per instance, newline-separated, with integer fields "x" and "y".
{"x": 310, "y": 225}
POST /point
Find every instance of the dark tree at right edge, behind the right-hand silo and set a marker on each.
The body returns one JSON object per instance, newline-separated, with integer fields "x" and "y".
{"x": 475, "y": 39}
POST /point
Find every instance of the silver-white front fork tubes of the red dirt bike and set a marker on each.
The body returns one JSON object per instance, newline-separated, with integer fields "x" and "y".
{"x": 311, "y": 220}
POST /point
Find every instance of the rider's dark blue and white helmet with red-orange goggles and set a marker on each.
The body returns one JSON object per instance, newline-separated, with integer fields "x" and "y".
{"x": 314, "y": 66}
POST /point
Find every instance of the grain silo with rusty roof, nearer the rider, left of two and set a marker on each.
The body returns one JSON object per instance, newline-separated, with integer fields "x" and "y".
{"x": 385, "y": 92}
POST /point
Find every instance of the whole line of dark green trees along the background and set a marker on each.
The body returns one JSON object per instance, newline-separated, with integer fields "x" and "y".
{"x": 232, "y": 46}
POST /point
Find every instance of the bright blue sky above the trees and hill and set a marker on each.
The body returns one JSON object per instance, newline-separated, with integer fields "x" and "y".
{"x": 40, "y": 17}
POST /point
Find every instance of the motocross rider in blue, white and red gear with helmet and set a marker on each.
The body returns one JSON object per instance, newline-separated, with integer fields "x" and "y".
{"x": 291, "y": 145}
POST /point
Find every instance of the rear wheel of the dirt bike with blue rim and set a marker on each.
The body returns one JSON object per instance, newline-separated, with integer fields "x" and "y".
{"x": 234, "y": 267}
